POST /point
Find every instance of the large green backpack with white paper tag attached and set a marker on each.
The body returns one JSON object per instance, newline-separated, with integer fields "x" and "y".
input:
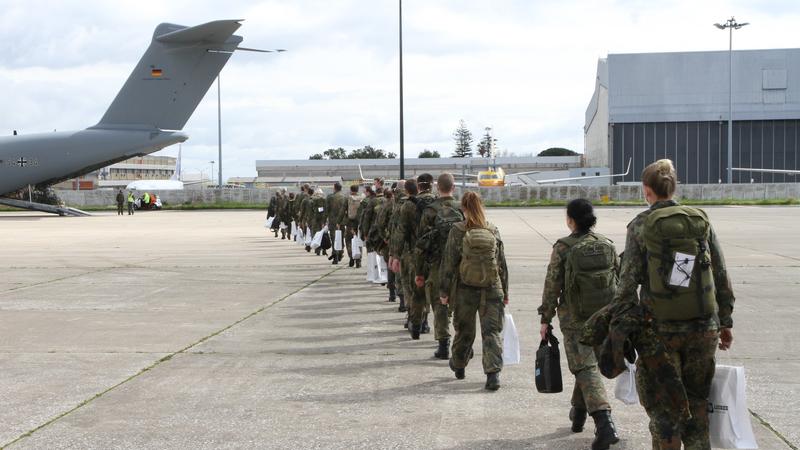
{"x": 679, "y": 263}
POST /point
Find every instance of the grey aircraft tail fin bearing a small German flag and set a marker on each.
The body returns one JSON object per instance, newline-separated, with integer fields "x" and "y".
{"x": 173, "y": 76}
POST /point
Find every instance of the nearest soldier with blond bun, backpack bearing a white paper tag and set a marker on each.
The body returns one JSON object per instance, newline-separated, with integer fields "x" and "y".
{"x": 672, "y": 252}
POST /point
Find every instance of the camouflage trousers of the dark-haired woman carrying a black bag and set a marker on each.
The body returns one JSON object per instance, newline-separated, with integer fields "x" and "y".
{"x": 589, "y": 393}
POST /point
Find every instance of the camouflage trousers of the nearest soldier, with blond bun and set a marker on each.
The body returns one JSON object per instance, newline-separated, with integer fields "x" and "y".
{"x": 692, "y": 355}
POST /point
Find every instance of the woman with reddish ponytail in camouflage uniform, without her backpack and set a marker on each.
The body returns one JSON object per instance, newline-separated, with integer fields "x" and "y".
{"x": 488, "y": 302}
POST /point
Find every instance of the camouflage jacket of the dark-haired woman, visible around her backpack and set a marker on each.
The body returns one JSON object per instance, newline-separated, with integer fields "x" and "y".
{"x": 555, "y": 287}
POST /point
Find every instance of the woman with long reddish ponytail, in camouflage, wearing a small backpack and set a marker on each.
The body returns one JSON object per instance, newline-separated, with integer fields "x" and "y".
{"x": 474, "y": 270}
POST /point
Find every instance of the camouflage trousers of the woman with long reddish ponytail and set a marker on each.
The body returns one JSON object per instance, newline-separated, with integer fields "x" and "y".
{"x": 489, "y": 307}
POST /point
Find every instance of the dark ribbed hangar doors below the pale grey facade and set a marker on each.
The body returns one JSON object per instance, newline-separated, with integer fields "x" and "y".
{"x": 700, "y": 149}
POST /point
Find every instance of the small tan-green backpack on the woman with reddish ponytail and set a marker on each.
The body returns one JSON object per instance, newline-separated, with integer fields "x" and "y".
{"x": 478, "y": 266}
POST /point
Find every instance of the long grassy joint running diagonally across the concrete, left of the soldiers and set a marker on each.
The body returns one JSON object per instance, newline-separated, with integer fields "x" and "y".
{"x": 165, "y": 359}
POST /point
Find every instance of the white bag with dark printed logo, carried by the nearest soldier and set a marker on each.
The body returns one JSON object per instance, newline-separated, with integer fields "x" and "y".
{"x": 729, "y": 418}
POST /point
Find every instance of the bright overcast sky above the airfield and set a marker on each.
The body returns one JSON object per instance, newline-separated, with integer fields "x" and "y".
{"x": 524, "y": 67}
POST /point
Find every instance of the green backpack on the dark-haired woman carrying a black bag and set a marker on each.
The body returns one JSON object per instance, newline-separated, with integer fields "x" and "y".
{"x": 591, "y": 274}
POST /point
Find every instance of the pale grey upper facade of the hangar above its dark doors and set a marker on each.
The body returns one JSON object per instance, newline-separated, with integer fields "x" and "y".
{"x": 693, "y": 86}
